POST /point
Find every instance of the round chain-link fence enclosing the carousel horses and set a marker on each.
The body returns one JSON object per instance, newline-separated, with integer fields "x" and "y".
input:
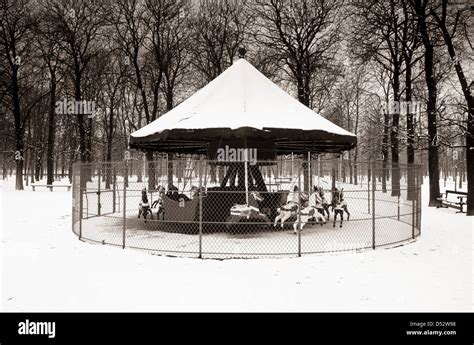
{"x": 213, "y": 209}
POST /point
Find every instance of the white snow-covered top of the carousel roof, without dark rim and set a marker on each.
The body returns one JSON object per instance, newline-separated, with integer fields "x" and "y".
{"x": 240, "y": 97}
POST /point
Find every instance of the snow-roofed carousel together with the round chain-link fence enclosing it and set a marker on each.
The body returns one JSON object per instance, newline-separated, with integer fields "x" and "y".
{"x": 242, "y": 169}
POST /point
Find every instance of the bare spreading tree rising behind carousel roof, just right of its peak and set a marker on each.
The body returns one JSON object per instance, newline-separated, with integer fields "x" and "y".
{"x": 303, "y": 37}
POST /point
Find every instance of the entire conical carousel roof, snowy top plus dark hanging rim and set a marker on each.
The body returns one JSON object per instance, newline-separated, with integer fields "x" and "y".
{"x": 242, "y": 102}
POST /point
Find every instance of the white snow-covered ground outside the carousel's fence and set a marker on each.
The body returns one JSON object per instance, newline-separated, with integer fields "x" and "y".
{"x": 46, "y": 268}
